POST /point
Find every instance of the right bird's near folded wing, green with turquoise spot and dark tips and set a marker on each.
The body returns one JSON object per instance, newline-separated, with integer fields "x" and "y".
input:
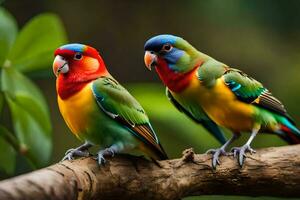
{"x": 251, "y": 91}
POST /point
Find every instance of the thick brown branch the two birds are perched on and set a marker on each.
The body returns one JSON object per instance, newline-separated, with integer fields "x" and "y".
{"x": 270, "y": 172}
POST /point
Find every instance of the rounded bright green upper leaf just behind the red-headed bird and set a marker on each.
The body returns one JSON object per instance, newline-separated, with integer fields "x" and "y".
{"x": 34, "y": 47}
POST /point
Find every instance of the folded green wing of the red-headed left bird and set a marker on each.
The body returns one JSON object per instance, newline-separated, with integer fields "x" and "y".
{"x": 120, "y": 105}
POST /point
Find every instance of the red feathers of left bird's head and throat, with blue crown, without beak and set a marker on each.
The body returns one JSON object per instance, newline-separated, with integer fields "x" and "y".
{"x": 86, "y": 67}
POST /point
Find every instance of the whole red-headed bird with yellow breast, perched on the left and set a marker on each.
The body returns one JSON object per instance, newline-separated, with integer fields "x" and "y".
{"x": 98, "y": 109}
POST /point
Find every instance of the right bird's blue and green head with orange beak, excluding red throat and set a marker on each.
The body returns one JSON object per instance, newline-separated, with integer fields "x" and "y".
{"x": 174, "y": 52}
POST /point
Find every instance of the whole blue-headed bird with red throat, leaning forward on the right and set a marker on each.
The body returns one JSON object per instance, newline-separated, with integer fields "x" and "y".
{"x": 215, "y": 95}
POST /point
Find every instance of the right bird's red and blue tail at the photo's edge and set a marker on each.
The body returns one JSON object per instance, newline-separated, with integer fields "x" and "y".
{"x": 290, "y": 132}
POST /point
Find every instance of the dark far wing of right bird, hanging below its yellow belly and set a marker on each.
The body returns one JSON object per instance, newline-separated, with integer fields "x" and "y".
{"x": 203, "y": 119}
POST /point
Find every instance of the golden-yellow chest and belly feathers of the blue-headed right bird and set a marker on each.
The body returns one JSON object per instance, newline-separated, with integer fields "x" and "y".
{"x": 221, "y": 105}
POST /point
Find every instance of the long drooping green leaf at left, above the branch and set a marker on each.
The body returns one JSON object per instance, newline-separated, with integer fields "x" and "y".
{"x": 30, "y": 116}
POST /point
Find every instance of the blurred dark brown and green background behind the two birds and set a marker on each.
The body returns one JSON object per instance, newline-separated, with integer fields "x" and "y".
{"x": 260, "y": 37}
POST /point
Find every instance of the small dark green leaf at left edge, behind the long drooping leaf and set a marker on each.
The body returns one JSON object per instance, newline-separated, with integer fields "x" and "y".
{"x": 7, "y": 153}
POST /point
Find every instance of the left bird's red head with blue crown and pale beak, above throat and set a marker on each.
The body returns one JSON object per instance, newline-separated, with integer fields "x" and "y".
{"x": 78, "y": 62}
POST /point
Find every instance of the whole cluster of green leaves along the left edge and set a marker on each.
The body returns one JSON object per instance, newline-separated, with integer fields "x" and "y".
{"x": 28, "y": 132}
